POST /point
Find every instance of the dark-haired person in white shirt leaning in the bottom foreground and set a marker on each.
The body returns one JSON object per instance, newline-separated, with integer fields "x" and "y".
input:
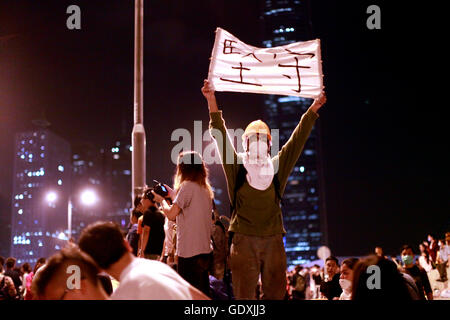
{"x": 139, "y": 279}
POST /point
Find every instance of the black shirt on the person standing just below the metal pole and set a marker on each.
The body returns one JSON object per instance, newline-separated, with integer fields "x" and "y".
{"x": 154, "y": 219}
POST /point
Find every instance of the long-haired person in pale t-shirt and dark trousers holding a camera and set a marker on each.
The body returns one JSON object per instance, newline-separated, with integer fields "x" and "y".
{"x": 192, "y": 205}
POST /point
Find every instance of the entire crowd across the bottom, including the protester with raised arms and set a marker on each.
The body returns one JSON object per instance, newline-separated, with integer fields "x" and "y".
{"x": 179, "y": 248}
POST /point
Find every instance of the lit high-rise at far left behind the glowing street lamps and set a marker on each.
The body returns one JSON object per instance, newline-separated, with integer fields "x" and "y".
{"x": 39, "y": 222}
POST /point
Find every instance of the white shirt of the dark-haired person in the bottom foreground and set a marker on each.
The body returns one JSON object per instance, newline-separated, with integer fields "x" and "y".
{"x": 146, "y": 279}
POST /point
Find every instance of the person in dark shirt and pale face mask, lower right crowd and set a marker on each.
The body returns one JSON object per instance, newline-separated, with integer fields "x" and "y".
{"x": 418, "y": 274}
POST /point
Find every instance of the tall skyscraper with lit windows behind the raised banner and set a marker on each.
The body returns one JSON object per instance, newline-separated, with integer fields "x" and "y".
{"x": 304, "y": 212}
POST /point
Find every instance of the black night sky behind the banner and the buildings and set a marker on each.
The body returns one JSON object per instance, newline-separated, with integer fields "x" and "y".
{"x": 385, "y": 139}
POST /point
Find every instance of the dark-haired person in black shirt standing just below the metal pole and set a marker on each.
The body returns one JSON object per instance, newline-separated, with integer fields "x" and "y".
{"x": 152, "y": 239}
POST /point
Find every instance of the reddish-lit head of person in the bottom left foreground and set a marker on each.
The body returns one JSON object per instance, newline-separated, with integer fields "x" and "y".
{"x": 57, "y": 279}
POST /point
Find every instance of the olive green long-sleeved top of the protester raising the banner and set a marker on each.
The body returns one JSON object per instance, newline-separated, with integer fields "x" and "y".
{"x": 258, "y": 212}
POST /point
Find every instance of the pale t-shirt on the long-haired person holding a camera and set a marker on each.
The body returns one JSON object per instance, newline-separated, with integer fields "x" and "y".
{"x": 194, "y": 222}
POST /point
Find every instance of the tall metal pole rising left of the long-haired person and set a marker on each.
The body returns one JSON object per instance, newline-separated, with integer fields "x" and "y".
{"x": 138, "y": 134}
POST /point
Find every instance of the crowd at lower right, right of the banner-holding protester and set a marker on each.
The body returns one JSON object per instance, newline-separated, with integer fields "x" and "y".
{"x": 421, "y": 276}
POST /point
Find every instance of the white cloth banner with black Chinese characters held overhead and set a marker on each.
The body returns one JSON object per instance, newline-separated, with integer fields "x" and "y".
{"x": 294, "y": 69}
